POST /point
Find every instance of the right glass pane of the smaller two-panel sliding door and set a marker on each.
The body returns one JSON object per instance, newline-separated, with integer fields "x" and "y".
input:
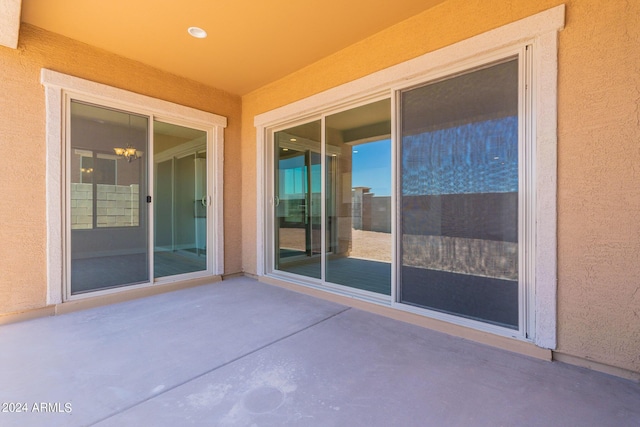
{"x": 180, "y": 194}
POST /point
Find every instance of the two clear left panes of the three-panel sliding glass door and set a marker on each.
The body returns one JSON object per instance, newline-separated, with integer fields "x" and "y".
{"x": 351, "y": 240}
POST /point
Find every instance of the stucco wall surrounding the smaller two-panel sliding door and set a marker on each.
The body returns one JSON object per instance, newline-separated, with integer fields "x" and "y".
{"x": 23, "y": 258}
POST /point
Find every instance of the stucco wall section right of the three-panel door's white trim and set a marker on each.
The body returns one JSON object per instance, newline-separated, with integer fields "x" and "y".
{"x": 598, "y": 183}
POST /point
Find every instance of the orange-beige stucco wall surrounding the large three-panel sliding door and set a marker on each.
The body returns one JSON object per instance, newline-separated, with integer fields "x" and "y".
{"x": 598, "y": 152}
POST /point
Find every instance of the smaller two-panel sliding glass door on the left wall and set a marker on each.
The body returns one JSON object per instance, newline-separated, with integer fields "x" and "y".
{"x": 110, "y": 240}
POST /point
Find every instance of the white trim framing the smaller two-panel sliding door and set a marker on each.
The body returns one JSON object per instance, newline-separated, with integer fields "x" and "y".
{"x": 57, "y": 85}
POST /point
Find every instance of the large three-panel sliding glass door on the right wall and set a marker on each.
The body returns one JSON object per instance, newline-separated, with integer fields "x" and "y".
{"x": 454, "y": 214}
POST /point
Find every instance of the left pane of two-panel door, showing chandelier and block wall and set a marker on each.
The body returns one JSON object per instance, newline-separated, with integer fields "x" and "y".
{"x": 107, "y": 195}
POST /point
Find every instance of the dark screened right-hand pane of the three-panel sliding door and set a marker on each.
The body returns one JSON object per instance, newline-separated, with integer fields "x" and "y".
{"x": 459, "y": 195}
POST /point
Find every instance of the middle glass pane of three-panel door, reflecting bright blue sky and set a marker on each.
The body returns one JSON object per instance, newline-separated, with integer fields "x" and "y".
{"x": 358, "y": 206}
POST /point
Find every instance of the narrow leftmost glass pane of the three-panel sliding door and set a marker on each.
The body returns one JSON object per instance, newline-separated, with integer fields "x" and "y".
{"x": 297, "y": 191}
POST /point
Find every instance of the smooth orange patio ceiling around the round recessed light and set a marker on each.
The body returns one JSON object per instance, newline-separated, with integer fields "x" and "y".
{"x": 250, "y": 43}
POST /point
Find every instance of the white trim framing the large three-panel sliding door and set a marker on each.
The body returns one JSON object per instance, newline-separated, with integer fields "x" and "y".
{"x": 539, "y": 30}
